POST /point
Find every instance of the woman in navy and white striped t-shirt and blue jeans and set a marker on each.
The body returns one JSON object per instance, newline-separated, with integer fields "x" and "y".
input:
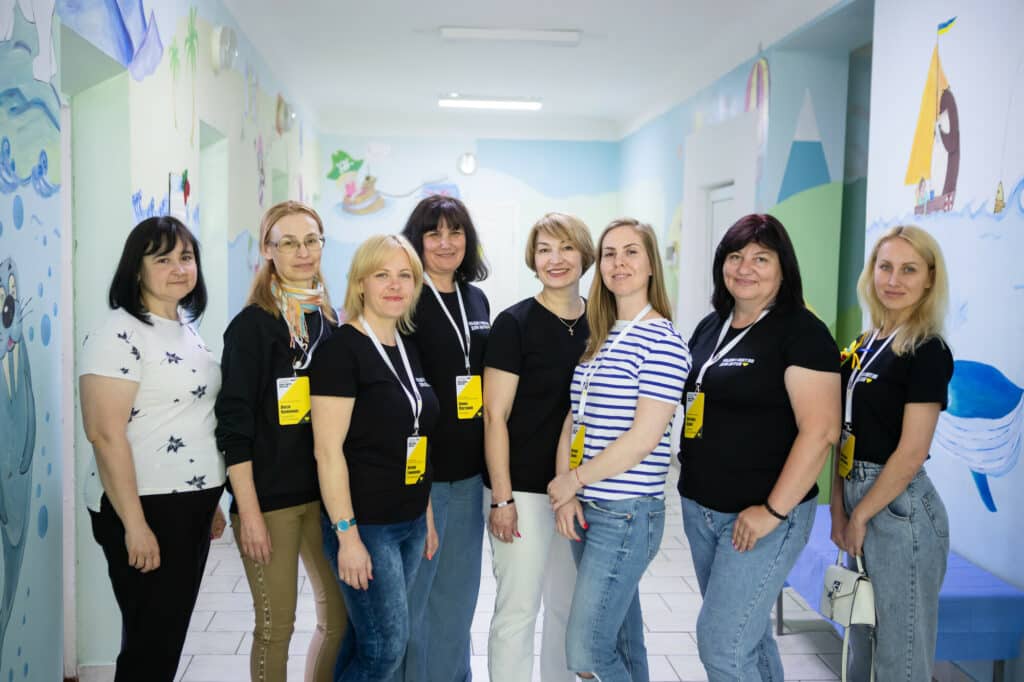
{"x": 615, "y": 453}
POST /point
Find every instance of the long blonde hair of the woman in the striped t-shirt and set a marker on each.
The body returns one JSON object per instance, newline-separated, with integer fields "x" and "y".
{"x": 602, "y": 310}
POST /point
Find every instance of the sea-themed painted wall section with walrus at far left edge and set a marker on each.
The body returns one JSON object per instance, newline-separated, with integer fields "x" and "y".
{"x": 30, "y": 388}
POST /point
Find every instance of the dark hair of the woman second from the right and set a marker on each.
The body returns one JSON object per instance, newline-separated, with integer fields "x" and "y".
{"x": 769, "y": 232}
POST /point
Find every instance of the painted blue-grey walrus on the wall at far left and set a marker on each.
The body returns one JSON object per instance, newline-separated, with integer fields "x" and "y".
{"x": 18, "y": 424}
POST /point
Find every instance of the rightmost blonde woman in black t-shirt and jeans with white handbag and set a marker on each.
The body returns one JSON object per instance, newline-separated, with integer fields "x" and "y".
{"x": 884, "y": 507}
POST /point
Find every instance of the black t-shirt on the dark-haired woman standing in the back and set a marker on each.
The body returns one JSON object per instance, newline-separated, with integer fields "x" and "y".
{"x": 456, "y": 445}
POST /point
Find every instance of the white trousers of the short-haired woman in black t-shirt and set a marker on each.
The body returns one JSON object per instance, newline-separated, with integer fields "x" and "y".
{"x": 537, "y": 567}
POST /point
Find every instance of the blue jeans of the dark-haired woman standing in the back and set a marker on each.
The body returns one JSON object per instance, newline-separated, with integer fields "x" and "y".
{"x": 444, "y": 596}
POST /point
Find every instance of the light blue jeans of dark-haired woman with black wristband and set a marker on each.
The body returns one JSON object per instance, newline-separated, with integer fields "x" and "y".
{"x": 735, "y": 637}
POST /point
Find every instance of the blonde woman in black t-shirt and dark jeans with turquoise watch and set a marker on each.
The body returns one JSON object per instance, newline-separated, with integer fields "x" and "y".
{"x": 373, "y": 415}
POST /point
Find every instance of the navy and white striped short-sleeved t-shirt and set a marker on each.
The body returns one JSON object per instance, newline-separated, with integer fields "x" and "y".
{"x": 653, "y": 362}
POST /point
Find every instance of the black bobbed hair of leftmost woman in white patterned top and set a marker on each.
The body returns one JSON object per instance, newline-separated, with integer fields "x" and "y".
{"x": 154, "y": 237}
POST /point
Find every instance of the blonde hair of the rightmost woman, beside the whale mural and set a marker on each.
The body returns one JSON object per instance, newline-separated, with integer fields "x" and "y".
{"x": 927, "y": 319}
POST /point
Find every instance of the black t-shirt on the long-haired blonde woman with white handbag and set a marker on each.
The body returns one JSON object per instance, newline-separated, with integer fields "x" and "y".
{"x": 889, "y": 383}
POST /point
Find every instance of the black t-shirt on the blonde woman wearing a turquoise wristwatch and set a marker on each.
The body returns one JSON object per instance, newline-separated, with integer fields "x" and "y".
{"x": 349, "y": 366}
